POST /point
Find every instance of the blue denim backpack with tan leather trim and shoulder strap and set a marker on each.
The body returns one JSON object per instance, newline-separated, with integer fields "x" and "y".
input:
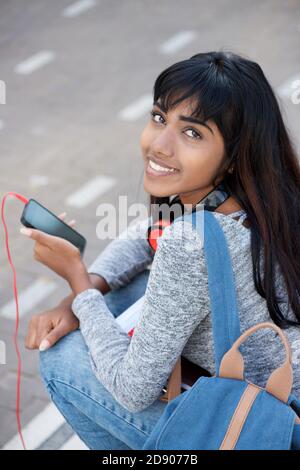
{"x": 226, "y": 411}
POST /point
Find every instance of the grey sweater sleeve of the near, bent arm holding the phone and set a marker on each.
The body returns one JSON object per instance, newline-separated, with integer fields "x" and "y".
{"x": 134, "y": 370}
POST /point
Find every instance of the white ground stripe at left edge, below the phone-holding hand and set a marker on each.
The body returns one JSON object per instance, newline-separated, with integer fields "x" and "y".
{"x": 29, "y": 298}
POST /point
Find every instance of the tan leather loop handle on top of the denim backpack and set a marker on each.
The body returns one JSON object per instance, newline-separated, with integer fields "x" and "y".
{"x": 280, "y": 381}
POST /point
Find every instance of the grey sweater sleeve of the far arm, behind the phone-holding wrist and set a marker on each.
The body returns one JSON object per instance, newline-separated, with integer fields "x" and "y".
{"x": 125, "y": 257}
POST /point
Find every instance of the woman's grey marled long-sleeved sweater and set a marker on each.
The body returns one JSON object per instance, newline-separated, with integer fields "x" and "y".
{"x": 175, "y": 317}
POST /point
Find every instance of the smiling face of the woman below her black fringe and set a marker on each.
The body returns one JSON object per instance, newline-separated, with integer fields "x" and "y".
{"x": 195, "y": 151}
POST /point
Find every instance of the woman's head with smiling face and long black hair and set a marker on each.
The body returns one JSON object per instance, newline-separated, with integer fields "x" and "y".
{"x": 238, "y": 136}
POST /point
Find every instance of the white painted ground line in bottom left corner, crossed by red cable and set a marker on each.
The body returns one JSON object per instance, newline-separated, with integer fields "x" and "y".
{"x": 38, "y": 430}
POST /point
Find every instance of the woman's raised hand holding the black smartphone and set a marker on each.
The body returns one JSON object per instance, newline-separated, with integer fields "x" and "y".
{"x": 60, "y": 256}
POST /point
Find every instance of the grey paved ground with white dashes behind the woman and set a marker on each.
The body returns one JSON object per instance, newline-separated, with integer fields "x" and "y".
{"x": 61, "y": 127}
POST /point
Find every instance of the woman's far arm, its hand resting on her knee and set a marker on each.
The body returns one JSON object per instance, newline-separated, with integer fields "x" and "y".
{"x": 116, "y": 265}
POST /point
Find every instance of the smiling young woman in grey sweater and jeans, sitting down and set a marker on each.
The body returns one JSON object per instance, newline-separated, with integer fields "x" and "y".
{"x": 215, "y": 118}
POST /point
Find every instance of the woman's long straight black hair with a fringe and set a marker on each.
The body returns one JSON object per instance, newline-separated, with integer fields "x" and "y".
{"x": 234, "y": 92}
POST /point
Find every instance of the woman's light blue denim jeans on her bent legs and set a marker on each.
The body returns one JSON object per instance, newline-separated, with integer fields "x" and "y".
{"x": 92, "y": 412}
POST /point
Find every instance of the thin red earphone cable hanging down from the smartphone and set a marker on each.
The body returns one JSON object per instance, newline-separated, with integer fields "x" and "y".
{"x": 15, "y": 338}
